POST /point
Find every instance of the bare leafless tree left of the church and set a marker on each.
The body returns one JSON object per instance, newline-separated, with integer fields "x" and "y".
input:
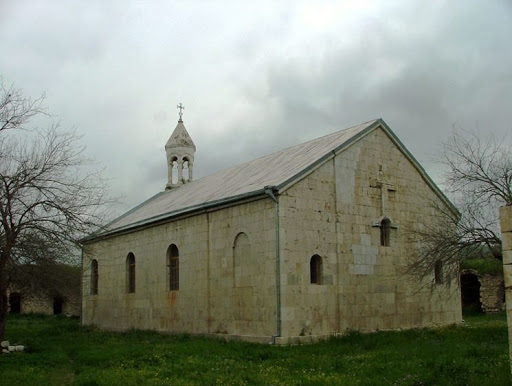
{"x": 49, "y": 194}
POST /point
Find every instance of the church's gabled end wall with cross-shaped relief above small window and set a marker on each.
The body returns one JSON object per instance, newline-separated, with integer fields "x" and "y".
{"x": 333, "y": 213}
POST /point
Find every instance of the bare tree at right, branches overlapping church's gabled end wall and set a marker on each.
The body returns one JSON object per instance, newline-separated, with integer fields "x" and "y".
{"x": 478, "y": 180}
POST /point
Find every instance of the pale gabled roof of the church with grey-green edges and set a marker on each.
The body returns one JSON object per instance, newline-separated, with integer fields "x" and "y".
{"x": 277, "y": 170}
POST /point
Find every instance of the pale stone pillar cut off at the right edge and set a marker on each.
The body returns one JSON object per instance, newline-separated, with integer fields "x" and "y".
{"x": 506, "y": 244}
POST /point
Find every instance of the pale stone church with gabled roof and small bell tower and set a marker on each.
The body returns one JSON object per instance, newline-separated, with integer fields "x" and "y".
{"x": 303, "y": 243}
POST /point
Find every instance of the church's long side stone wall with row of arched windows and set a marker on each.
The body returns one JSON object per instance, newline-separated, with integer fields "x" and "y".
{"x": 208, "y": 301}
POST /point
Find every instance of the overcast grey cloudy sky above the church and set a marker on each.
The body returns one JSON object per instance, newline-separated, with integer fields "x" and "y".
{"x": 257, "y": 76}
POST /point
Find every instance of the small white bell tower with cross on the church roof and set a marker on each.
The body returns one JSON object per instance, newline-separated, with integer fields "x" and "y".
{"x": 180, "y": 150}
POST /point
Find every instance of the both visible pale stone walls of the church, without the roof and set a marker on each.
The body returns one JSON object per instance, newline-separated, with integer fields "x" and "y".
{"x": 228, "y": 280}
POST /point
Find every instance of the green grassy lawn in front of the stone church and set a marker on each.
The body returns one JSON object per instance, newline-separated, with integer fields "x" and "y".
{"x": 60, "y": 352}
